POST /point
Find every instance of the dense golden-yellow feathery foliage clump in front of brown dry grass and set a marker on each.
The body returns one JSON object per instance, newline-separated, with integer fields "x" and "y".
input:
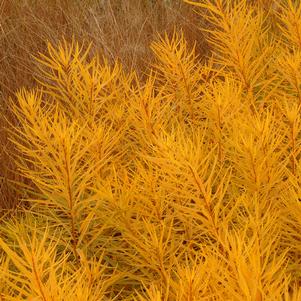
{"x": 185, "y": 186}
